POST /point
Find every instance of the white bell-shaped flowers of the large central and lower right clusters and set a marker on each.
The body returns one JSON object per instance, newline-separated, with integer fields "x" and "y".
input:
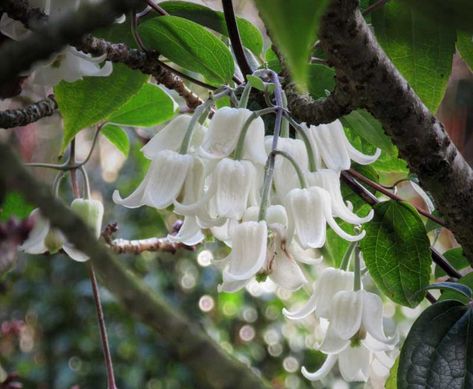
{"x": 215, "y": 175}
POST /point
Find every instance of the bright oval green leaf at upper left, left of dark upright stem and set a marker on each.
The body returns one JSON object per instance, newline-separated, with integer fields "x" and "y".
{"x": 189, "y": 45}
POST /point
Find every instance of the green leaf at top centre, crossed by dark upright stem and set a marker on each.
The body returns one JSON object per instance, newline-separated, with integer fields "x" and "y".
{"x": 250, "y": 35}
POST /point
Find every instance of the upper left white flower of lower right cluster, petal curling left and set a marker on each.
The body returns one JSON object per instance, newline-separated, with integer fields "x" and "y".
{"x": 329, "y": 283}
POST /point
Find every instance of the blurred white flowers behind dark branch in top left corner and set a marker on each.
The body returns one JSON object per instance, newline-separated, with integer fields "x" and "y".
{"x": 70, "y": 64}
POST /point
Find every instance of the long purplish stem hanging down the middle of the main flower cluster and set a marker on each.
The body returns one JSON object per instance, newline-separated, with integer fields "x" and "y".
{"x": 269, "y": 168}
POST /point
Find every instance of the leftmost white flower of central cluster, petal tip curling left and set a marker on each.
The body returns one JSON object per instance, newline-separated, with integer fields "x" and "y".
{"x": 162, "y": 184}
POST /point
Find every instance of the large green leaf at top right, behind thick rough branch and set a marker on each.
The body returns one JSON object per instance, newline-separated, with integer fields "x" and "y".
{"x": 421, "y": 47}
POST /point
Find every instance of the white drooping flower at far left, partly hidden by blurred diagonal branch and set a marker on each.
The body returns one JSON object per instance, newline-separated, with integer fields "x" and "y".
{"x": 43, "y": 238}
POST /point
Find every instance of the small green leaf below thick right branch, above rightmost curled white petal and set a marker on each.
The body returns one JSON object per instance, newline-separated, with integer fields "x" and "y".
{"x": 370, "y": 129}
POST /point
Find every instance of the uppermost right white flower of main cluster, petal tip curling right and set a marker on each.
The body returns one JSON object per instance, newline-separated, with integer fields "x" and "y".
{"x": 335, "y": 149}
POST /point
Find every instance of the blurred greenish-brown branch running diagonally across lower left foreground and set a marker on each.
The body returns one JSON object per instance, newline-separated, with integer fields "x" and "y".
{"x": 214, "y": 368}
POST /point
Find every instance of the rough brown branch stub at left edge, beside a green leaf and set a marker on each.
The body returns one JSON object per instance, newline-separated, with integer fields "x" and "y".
{"x": 22, "y": 116}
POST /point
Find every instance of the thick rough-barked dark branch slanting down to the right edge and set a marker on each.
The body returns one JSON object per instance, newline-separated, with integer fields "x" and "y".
{"x": 422, "y": 141}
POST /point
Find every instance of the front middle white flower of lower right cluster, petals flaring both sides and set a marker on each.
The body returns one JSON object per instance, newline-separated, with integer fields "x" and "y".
{"x": 356, "y": 316}
